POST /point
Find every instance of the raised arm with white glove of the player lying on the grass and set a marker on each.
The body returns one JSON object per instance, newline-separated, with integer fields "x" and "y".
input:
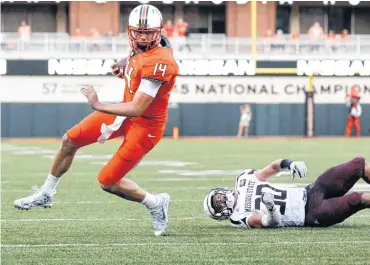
{"x": 297, "y": 168}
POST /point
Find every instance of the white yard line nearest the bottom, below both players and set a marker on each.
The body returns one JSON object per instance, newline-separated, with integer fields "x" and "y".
{"x": 170, "y": 244}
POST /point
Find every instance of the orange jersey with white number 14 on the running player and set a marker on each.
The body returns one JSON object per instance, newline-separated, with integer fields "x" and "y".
{"x": 156, "y": 64}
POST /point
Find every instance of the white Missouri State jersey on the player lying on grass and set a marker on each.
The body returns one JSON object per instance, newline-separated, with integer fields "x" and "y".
{"x": 289, "y": 201}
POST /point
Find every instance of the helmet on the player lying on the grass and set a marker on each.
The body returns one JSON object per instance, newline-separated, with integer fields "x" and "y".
{"x": 219, "y": 203}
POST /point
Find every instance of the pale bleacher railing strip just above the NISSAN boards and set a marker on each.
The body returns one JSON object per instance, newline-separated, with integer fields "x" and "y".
{"x": 47, "y": 45}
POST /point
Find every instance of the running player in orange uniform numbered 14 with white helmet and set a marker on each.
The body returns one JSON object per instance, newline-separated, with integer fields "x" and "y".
{"x": 150, "y": 75}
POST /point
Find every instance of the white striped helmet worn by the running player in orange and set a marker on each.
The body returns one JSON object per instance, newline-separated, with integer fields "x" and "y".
{"x": 144, "y": 28}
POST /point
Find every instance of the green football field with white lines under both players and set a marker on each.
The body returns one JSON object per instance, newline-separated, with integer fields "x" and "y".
{"x": 89, "y": 226}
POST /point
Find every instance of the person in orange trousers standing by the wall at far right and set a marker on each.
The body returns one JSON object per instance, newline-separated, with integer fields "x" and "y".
{"x": 355, "y": 111}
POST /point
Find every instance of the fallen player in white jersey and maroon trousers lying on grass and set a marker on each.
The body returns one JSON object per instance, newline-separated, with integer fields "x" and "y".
{"x": 256, "y": 203}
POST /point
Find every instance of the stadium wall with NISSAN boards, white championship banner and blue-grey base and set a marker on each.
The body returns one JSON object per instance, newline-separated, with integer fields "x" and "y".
{"x": 42, "y": 99}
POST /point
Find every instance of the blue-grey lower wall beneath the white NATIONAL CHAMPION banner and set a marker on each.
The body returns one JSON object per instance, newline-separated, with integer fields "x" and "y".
{"x": 198, "y": 119}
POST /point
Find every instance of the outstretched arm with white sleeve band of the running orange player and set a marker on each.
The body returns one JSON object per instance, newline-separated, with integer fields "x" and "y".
{"x": 142, "y": 99}
